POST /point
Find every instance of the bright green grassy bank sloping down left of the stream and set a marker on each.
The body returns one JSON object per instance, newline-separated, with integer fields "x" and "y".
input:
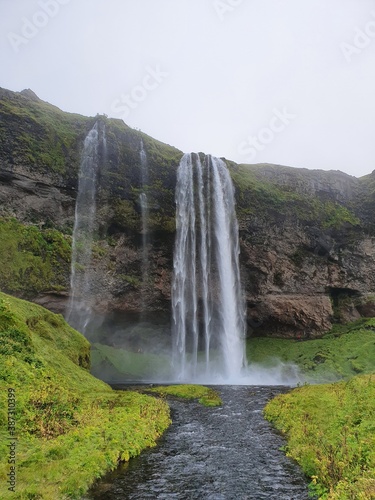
{"x": 70, "y": 427}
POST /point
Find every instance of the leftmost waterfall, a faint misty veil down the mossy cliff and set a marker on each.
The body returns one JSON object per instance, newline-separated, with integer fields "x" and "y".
{"x": 79, "y": 307}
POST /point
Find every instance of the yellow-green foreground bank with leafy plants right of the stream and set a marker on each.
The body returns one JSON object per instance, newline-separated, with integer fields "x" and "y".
{"x": 331, "y": 433}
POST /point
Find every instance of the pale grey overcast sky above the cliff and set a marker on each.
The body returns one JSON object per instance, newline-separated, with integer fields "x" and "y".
{"x": 290, "y": 82}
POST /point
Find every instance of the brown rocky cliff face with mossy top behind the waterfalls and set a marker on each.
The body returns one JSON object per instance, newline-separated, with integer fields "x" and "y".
{"x": 307, "y": 237}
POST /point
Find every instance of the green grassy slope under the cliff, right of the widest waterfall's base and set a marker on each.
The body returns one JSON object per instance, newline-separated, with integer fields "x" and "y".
{"x": 345, "y": 351}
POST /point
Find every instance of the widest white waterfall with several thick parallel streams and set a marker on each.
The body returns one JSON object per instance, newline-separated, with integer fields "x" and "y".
{"x": 207, "y": 300}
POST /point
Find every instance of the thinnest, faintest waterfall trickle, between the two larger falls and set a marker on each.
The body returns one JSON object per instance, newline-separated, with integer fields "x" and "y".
{"x": 143, "y": 201}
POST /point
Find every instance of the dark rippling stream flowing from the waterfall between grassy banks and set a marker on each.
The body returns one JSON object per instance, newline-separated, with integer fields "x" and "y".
{"x": 223, "y": 453}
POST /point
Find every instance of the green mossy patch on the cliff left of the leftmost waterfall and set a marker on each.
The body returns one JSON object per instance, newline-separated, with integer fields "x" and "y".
{"x": 32, "y": 260}
